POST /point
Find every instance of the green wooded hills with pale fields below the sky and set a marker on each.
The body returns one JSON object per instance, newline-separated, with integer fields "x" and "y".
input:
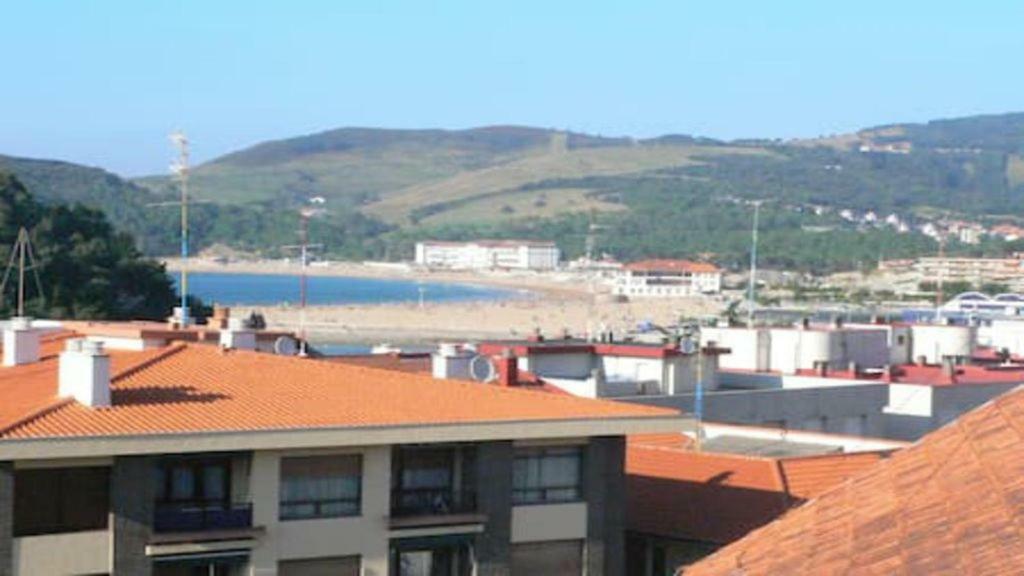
{"x": 670, "y": 196}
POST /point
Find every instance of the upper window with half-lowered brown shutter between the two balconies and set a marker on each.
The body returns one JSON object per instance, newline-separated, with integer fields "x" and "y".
{"x": 321, "y": 487}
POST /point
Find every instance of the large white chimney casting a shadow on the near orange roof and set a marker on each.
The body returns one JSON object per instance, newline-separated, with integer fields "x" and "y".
{"x": 86, "y": 374}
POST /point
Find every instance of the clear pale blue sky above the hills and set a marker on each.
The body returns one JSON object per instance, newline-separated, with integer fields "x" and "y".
{"x": 103, "y": 83}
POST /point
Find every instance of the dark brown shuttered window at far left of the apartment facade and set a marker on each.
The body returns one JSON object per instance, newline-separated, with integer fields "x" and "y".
{"x": 56, "y": 501}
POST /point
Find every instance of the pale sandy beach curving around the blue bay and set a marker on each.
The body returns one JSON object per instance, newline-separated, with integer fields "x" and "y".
{"x": 561, "y": 302}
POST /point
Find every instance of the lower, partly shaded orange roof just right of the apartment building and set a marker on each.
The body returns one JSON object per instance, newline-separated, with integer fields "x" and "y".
{"x": 677, "y": 493}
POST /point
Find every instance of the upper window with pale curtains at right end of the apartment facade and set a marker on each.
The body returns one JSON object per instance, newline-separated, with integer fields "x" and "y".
{"x": 547, "y": 475}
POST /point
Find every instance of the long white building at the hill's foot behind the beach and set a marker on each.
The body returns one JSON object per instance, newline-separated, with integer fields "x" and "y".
{"x": 488, "y": 255}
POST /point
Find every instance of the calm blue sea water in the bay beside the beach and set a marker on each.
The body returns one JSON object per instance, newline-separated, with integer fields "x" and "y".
{"x": 277, "y": 290}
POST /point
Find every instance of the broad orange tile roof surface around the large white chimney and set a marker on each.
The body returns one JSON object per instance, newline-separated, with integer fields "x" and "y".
{"x": 194, "y": 388}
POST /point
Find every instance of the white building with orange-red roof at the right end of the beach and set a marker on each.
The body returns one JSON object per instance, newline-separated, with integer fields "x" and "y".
{"x": 668, "y": 279}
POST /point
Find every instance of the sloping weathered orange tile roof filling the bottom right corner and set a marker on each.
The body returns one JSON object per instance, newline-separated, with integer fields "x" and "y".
{"x": 952, "y": 504}
